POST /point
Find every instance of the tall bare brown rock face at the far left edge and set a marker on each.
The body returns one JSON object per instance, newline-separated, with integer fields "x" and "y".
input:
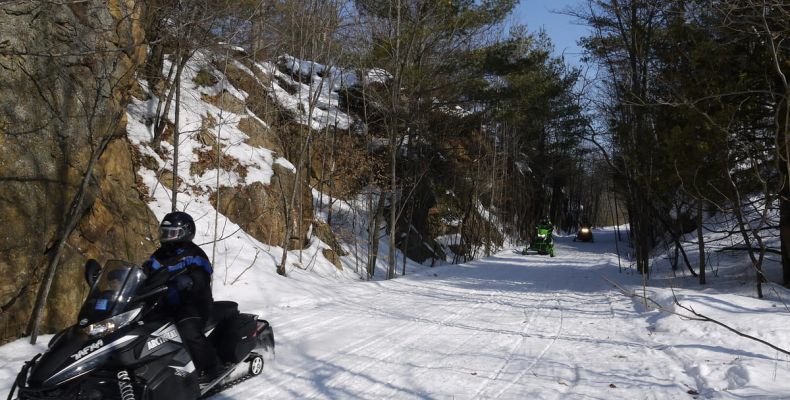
{"x": 65, "y": 68}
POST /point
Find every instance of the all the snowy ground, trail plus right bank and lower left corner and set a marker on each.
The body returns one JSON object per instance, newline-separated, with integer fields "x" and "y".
{"x": 512, "y": 327}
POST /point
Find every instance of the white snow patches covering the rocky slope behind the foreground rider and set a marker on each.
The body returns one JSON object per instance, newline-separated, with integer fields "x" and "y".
{"x": 240, "y": 258}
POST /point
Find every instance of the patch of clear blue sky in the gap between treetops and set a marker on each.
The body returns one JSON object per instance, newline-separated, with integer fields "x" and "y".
{"x": 562, "y": 29}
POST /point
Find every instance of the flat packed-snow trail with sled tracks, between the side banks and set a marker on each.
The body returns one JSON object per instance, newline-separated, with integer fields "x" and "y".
{"x": 508, "y": 327}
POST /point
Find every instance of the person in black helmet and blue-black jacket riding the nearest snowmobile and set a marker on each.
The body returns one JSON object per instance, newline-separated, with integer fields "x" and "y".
{"x": 189, "y": 300}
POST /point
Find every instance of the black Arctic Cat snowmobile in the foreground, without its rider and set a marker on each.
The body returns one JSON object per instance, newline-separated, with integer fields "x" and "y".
{"x": 124, "y": 347}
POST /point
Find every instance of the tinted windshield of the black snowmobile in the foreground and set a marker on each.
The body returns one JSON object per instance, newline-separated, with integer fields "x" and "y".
{"x": 110, "y": 295}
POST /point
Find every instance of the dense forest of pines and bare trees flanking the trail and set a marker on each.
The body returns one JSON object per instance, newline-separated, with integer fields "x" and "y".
{"x": 686, "y": 115}
